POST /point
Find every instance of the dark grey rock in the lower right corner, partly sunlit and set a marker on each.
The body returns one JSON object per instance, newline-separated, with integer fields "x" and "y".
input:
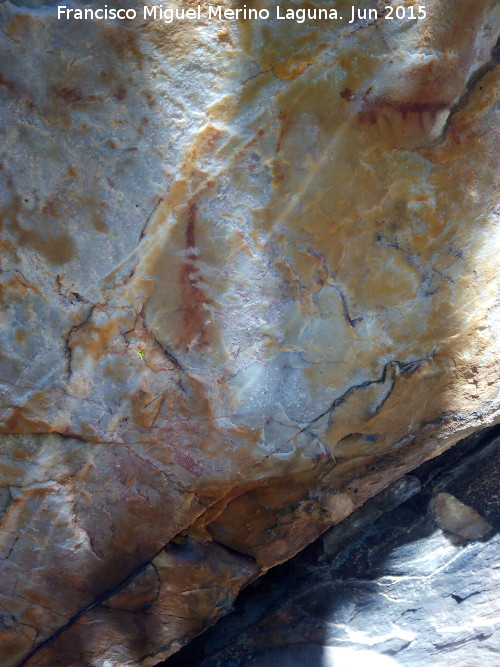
{"x": 390, "y": 585}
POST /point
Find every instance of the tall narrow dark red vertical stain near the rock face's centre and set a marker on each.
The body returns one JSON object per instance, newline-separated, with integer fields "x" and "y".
{"x": 194, "y": 299}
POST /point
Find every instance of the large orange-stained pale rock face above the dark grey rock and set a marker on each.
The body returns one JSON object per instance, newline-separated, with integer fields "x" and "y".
{"x": 249, "y": 277}
